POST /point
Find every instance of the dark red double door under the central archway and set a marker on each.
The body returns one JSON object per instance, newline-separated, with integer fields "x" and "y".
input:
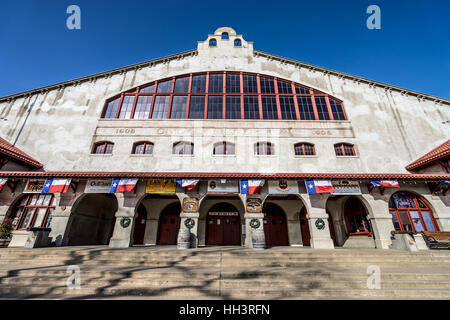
{"x": 223, "y": 229}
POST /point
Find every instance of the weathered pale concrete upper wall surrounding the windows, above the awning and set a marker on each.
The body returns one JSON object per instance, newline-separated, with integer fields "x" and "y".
{"x": 389, "y": 129}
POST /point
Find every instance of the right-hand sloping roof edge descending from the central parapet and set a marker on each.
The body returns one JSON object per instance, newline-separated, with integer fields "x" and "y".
{"x": 339, "y": 74}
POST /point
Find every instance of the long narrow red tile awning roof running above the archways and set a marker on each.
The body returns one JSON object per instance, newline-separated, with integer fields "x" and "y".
{"x": 219, "y": 175}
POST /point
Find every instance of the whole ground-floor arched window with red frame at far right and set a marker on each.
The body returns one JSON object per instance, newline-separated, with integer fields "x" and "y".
{"x": 411, "y": 213}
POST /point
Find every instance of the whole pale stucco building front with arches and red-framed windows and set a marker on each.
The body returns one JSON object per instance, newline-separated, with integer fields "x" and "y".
{"x": 223, "y": 113}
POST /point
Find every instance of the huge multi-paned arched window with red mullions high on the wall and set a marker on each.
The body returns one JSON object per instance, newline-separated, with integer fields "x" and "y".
{"x": 224, "y": 95}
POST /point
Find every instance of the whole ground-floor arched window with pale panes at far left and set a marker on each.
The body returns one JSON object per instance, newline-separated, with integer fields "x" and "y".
{"x": 34, "y": 210}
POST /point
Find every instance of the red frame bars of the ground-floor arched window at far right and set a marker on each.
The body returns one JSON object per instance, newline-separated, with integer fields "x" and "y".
{"x": 416, "y": 199}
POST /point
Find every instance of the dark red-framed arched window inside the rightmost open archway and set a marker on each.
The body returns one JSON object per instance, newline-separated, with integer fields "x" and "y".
{"x": 356, "y": 217}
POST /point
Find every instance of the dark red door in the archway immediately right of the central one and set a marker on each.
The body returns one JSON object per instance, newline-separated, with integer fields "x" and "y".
{"x": 275, "y": 226}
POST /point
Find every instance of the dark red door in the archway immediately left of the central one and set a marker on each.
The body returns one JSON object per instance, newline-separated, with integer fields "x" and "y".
{"x": 169, "y": 224}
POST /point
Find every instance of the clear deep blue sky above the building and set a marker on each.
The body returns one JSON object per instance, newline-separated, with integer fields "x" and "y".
{"x": 412, "y": 49}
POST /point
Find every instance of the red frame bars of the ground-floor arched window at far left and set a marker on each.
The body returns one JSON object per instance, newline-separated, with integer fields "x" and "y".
{"x": 26, "y": 206}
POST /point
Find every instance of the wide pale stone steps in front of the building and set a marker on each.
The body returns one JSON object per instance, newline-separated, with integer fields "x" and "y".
{"x": 222, "y": 273}
